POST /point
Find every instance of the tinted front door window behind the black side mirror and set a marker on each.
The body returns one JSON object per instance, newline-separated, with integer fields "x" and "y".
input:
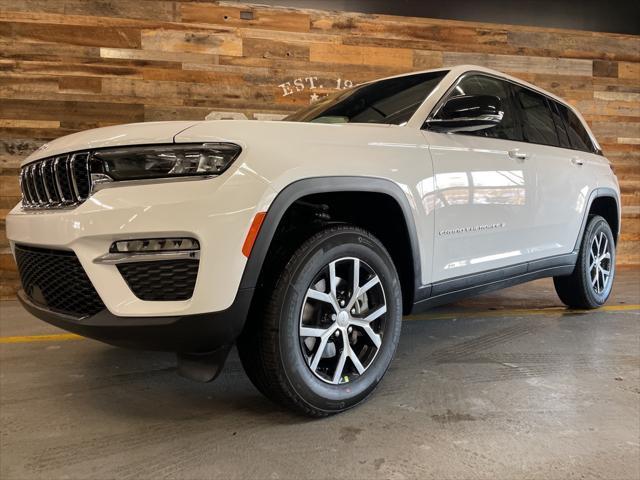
{"x": 508, "y": 128}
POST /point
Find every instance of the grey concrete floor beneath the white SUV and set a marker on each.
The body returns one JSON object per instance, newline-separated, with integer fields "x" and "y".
{"x": 507, "y": 385}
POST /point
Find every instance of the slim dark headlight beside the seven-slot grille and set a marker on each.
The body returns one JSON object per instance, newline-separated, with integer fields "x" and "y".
{"x": 162, "y": 161}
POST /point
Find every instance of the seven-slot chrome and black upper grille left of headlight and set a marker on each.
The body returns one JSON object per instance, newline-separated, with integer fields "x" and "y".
{"x": 56, "y": 182}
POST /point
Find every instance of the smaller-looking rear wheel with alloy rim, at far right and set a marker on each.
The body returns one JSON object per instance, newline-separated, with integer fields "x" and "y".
{"x": 589, "y": 286}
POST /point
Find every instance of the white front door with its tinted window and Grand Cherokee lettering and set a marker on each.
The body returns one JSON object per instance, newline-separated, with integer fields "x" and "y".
{"x": 485, "y": 190}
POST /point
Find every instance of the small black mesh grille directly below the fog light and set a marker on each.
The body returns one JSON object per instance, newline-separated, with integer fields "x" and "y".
{"x": 161, "y": 280}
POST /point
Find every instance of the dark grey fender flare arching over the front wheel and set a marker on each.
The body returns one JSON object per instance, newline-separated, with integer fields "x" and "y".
{"x": 310, "y": 186}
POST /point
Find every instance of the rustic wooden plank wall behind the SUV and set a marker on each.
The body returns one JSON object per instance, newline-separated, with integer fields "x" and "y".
{"x": 67, "y": 65}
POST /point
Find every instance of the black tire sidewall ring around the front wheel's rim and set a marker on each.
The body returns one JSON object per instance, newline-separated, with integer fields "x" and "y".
{"x": 313, "y": 391}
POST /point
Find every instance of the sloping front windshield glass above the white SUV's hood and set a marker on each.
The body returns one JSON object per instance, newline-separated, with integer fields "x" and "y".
{"x": 392, "y": 101}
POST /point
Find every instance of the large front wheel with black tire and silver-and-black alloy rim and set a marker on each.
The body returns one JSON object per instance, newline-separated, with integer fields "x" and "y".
{"x": 331, "y": 324}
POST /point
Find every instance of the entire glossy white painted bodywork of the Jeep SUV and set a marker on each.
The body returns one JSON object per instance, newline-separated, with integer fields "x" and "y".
{"x": 523, "y": 209}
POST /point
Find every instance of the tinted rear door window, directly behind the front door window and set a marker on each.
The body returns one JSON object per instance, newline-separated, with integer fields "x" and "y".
{"x": 537, "y": 122}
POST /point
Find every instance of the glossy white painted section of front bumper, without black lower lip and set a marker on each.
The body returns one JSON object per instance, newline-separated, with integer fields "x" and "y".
{"x": 211, "y": 210}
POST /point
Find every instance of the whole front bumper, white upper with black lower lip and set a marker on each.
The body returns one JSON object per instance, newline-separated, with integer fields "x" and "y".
{"x": 217, "y": 212}
